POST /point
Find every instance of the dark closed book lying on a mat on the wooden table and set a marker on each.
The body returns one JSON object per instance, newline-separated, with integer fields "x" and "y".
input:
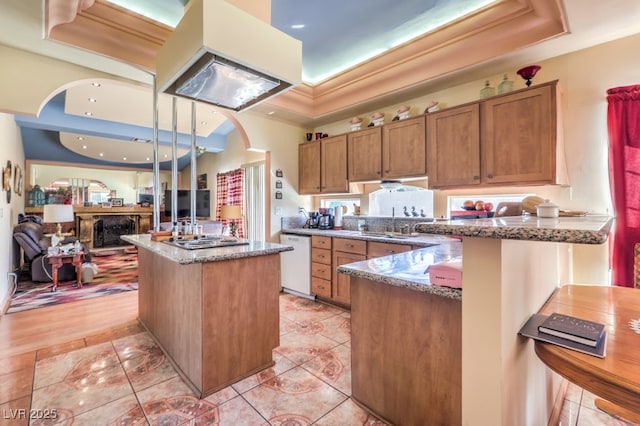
{"x": 572, "y": 328}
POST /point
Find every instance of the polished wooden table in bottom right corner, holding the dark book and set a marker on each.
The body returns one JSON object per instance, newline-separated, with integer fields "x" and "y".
{"x": 615, "y": 379}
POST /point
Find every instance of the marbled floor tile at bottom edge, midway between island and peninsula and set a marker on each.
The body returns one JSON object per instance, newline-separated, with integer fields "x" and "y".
{"x": 295, "y": 397}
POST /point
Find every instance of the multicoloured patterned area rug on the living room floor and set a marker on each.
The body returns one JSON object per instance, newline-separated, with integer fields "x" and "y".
{"x": 117, "y": 273}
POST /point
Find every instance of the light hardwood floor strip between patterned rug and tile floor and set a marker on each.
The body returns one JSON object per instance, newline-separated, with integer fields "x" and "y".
{"x": 38, "y": 328}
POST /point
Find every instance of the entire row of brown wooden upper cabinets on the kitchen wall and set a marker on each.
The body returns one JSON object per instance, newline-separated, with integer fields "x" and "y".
{"x": 509, "y": 139}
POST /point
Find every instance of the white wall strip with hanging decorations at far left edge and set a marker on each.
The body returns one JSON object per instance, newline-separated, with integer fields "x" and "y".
{"x": 11, "y": 151}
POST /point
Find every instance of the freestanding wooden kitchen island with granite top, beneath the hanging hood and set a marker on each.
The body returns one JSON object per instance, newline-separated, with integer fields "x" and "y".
{"x": 214, "y": 312}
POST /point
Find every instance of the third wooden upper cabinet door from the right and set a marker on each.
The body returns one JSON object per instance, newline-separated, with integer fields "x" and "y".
{"x": 404, "y": 148}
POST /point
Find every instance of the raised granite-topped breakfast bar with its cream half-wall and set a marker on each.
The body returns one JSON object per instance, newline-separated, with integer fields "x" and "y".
{"x": 511, "y": 266}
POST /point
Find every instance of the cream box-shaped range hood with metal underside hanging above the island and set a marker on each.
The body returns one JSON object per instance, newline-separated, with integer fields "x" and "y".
{"x": 221, "y": 55}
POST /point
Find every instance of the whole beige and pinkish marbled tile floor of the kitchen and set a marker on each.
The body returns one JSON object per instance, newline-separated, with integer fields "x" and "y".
{"x": 121, "y": 377}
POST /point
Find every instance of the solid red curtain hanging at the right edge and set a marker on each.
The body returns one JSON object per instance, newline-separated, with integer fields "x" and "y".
{"x": 623, "y": 121}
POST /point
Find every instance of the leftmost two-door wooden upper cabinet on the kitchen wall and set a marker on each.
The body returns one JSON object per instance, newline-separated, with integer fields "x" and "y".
{"x": 322, "y": 166}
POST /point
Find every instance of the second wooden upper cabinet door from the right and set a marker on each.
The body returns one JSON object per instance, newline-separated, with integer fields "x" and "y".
{"x": 453, "y": 147}
